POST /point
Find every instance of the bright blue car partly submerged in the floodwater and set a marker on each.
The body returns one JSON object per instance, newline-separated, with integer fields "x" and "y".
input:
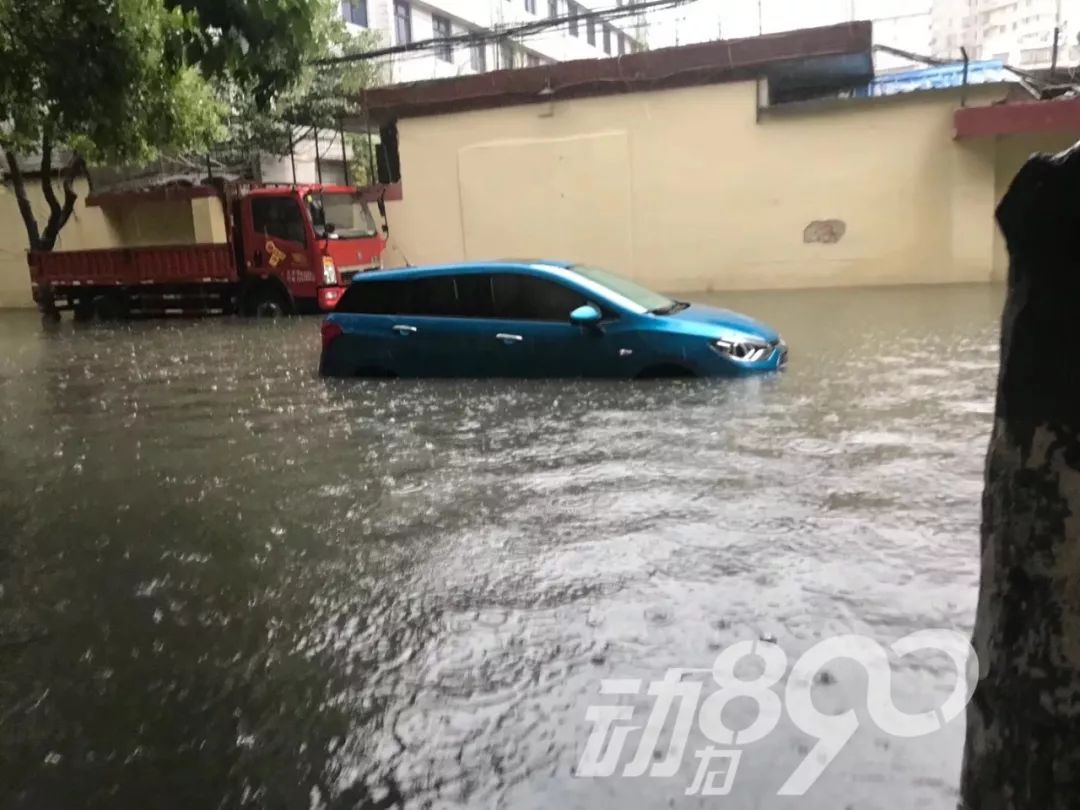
{"x": 534, "y": 319}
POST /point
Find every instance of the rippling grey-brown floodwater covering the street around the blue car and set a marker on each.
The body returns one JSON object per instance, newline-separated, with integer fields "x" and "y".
{"x": 228, "y": 584}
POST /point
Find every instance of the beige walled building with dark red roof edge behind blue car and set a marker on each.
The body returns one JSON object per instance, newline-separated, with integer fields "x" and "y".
{"x": 767, "y": 170}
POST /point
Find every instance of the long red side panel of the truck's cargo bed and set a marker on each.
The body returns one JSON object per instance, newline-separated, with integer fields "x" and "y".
{"x": 136, "y": 266}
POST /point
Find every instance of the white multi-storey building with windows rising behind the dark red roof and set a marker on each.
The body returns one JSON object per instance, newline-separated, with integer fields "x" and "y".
{"x": 577, "y": 37}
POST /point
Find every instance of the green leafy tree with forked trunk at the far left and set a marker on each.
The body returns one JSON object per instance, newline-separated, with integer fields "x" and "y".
{"x": 94, "y": 80}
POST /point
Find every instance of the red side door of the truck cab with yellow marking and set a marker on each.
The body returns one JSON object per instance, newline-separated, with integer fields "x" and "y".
{"x": 279, "y": 244}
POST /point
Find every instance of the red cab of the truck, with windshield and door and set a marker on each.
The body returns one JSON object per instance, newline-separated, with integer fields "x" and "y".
{"x": 302, "y": 246}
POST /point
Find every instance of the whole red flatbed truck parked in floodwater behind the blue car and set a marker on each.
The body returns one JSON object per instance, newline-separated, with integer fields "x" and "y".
{"x": 290, "y": 250}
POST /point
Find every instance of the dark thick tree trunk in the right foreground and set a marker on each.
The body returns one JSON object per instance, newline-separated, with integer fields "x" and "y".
{"x": 1023, "y": 748}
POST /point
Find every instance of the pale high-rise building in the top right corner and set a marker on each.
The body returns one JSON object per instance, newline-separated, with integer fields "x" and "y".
{"x": 1020, "y": 33}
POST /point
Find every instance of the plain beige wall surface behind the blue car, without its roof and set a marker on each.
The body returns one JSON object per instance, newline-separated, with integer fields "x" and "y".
{"x": 686, "y": 191}
